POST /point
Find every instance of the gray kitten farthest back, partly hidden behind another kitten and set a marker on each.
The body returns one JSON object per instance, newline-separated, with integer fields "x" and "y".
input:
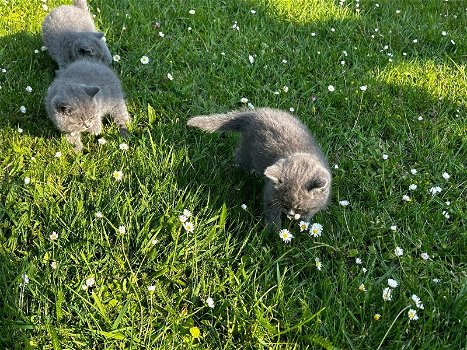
{"x": 69, "y": 33}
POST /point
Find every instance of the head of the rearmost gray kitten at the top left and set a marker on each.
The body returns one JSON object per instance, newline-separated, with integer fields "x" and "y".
{"x": 91, "y": 46}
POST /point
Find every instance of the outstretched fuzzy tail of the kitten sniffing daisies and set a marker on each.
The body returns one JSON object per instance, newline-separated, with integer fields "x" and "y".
{"x": 232, "y": 121}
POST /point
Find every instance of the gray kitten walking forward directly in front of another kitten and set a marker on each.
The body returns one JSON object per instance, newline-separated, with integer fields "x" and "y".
{"x": 79, "y": 97}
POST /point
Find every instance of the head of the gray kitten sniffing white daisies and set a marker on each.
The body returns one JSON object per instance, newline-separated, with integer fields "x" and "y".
{"x": 300, "y": 184}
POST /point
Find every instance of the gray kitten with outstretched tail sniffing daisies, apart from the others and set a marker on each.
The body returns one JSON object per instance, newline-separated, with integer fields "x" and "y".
{"x": 278, "y": 145}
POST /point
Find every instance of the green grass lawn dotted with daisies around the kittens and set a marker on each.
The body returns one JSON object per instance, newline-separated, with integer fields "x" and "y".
{"x": 267, "y": 294}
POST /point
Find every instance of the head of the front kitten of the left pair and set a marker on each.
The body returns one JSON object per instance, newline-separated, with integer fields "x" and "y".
{"x": 75, "y": 108}
